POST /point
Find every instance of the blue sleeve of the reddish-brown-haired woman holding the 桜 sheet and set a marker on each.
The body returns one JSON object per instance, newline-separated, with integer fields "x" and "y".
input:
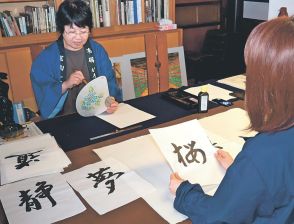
{"x": 238, "y": 199}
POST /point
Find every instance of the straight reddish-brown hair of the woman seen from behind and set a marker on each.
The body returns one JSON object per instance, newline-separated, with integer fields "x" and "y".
{"x": 269, "y": 57}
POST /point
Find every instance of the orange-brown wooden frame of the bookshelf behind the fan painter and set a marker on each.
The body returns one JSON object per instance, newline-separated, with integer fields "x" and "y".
{"x": 117, "y": 39}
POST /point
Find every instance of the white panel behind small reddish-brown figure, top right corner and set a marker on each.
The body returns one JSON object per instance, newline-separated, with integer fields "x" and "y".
{"x": 275, "y": 5}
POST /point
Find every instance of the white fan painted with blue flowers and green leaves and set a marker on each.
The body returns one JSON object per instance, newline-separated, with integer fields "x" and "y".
{"x": 91, "y": 99}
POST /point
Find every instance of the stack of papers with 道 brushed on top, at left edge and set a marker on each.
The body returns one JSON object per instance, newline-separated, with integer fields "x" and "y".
{"x": 30, "y": 157}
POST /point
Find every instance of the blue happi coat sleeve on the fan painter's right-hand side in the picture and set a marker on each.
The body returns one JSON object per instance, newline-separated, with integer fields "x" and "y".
{"x": 104, "y": 67}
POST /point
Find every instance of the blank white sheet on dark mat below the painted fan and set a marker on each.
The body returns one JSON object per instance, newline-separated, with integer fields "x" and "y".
{"x": 126, "y": 115}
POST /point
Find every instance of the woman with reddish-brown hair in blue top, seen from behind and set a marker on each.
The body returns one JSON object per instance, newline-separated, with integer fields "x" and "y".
{"x": 258, "y": 186}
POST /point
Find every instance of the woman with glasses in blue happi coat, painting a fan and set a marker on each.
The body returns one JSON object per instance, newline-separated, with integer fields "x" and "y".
{"x": 59, "y": 71}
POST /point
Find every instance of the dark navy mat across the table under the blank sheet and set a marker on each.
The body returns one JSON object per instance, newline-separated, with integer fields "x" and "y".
{"x": 74, "y": 131}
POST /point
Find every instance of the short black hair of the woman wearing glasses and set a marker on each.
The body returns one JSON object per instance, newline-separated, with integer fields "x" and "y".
{"x": 73, "y": 12}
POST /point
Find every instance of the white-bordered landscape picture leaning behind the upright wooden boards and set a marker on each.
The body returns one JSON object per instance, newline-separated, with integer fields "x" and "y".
{"x": 135, "y": 72}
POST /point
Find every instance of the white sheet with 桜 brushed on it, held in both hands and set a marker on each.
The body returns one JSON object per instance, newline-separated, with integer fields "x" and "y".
{"x": 189, "y": 152}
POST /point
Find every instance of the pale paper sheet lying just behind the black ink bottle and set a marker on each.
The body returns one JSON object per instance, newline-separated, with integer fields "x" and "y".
{"x": 213, "y": 91}
